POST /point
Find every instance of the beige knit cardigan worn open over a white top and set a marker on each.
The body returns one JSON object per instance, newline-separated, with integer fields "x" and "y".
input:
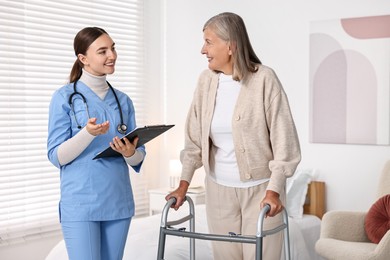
{"x": 264, "y": 135}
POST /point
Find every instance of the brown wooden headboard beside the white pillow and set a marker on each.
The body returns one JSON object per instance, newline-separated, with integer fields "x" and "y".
{"x": 315, "y": 199}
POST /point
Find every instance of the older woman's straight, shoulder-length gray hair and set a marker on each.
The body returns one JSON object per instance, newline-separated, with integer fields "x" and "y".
{"x": 231, "y": 28}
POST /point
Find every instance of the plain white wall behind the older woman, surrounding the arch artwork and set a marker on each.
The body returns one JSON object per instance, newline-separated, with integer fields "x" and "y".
{"x": 279, "y": 32}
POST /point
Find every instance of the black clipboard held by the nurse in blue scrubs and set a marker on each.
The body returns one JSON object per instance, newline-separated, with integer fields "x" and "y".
{"x": 144, "y": 134}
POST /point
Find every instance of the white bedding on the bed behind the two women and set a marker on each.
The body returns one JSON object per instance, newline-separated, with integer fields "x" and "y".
{"x": 142, "y": 240}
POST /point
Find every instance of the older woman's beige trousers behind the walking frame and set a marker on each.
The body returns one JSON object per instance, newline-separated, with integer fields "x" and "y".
{"x": 237, "y": 210}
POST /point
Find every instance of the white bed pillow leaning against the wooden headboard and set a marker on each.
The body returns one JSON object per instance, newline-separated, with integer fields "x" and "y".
{"x": 296, "y": 189}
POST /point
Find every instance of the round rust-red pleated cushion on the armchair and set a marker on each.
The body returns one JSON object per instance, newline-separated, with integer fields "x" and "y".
{"x": 377, "y": 221}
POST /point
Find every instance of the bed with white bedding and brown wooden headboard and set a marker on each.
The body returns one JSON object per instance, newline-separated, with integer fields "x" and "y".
{"x": 142, "y": 241}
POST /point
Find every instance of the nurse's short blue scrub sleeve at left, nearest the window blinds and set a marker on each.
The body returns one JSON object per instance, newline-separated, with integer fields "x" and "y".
{"x": 59, "y": 126}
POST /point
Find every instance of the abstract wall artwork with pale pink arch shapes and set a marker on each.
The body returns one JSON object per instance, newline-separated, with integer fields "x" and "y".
{"x": 350, "y": 81}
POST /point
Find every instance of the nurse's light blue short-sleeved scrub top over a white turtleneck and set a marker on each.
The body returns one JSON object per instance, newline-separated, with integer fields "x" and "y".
{"x": 91, "y": 190}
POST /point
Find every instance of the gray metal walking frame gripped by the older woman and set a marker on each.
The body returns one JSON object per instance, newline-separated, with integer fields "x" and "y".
{"x": 167, "y": 228}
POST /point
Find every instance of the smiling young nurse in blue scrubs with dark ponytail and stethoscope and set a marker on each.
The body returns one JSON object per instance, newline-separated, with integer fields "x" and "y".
{"x": 86, "y": 115}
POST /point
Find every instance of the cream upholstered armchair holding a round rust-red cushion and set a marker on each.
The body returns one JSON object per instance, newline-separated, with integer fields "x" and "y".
{"x": 343, "y": 235}
